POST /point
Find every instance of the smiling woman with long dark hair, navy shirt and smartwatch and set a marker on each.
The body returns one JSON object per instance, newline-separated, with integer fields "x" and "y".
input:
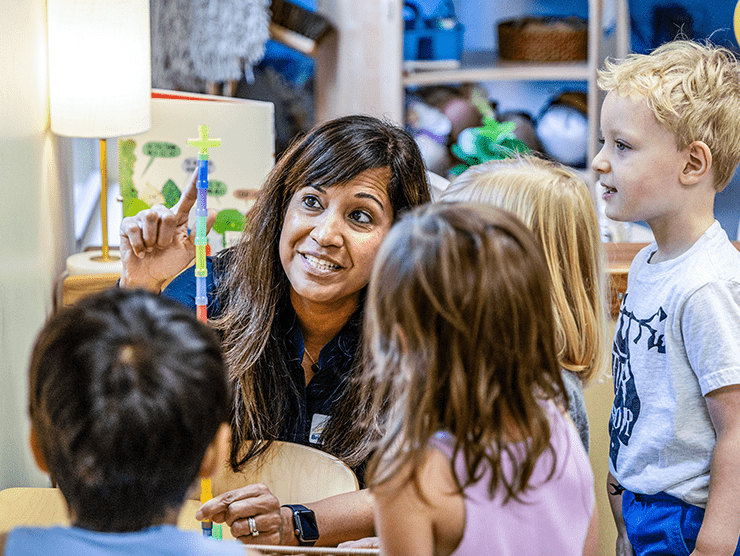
{"x": 288, "y": 302}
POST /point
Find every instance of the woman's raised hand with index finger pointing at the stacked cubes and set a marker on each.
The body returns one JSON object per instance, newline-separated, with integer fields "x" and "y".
{"x": 155, "y": 243}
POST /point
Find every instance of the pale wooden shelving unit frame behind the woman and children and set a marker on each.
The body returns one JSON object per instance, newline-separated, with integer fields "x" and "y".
{"x": 362, "y": 70}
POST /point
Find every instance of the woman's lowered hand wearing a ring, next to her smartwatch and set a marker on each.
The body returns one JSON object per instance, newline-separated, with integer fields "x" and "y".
{"x": 252, "y": 513}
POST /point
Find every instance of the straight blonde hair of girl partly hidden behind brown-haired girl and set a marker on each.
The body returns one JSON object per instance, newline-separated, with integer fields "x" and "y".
{"x": 557, "y": 206}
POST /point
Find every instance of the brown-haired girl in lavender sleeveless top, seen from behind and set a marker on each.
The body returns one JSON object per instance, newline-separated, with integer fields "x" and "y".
{"x": 477, "y": 456}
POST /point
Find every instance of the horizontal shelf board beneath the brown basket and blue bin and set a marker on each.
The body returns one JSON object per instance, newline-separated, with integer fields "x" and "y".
{"x": 485, "y": 66}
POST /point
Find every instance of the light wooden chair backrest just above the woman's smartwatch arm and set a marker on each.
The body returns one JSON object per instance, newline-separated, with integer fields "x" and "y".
{"x": 293, "y": 472}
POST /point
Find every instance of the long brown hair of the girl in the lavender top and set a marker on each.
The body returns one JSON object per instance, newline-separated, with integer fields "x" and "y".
{"x": 459, "y": 337}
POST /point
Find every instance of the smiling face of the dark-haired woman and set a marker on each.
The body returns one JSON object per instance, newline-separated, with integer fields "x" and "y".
{"x": 331, "y": 235}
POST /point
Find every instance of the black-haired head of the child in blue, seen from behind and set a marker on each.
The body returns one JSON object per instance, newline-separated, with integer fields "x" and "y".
{"x": 127, "y": 391}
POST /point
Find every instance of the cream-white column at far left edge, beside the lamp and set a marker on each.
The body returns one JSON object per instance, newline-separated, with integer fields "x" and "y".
{"x": 36, "y": 224}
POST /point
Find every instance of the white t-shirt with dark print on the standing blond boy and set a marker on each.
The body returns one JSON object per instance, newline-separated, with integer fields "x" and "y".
{"x": 677, "y": 339}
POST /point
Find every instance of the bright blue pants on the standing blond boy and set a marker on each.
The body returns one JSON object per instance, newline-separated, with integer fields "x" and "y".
{"x": 660, "y": 524}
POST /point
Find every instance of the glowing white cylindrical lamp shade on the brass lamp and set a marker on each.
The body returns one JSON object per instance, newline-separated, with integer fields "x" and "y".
{"x": 99, "y": 67}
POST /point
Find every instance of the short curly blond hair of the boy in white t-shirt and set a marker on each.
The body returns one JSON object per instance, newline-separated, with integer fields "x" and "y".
{"x": 693, "y": 89}
